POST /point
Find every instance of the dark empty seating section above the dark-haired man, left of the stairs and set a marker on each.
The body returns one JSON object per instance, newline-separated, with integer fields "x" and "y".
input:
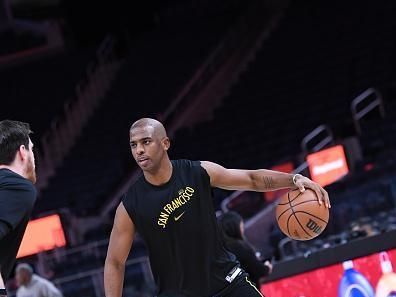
{"x": 36, "y": 92}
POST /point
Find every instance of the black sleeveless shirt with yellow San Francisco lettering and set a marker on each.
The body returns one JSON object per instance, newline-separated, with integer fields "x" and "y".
{"x": 178, "y": 223}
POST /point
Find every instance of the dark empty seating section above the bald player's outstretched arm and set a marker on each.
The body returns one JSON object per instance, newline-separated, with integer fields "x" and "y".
{"x": 306, "y": 74}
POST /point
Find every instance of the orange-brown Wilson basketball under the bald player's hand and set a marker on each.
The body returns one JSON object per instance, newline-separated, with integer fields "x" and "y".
{"x": 300, "y": 216}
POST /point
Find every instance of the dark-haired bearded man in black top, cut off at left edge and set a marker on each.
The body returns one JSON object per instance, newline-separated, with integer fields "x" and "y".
{"x": 17, "y": 193}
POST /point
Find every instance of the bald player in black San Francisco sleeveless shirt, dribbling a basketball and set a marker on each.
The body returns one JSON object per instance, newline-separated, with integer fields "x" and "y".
{"x": 171, "y": 207}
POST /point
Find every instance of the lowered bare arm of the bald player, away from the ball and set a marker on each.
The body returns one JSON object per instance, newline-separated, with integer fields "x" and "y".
{"x": 120, "y": 244}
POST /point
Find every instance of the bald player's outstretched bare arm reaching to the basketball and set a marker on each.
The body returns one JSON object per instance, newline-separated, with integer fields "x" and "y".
{"x": 260, "y": 180}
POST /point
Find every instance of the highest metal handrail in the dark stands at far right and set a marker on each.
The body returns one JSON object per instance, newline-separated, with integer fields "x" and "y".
{"x": 358, "y": 115}
